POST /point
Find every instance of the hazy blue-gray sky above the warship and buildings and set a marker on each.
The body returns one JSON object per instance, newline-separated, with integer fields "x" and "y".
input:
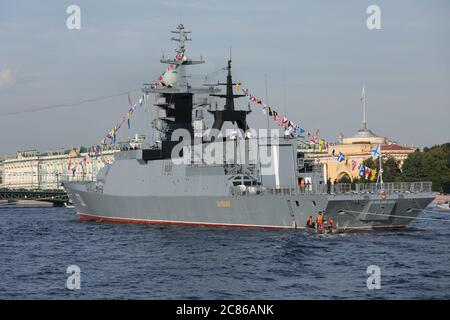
{"x": 317, "y": 55}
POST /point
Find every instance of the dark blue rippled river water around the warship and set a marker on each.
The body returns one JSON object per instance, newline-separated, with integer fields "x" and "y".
{"x": 174, "y": 262}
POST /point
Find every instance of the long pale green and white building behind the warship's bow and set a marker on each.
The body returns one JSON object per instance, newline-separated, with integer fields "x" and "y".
{"x": 32, "y": 169}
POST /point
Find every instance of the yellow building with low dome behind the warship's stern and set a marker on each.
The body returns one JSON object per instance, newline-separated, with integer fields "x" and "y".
{"x": 356, "y": 149}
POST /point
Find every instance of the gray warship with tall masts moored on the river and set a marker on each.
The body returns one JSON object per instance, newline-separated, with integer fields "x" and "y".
{"x": 254, "y": 183}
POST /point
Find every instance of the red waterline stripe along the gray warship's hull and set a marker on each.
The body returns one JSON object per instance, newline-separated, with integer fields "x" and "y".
{"x": 87, "y": 217}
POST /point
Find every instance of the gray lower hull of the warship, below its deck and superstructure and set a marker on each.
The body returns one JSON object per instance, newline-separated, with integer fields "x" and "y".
{"x": 273, "y": 211}
